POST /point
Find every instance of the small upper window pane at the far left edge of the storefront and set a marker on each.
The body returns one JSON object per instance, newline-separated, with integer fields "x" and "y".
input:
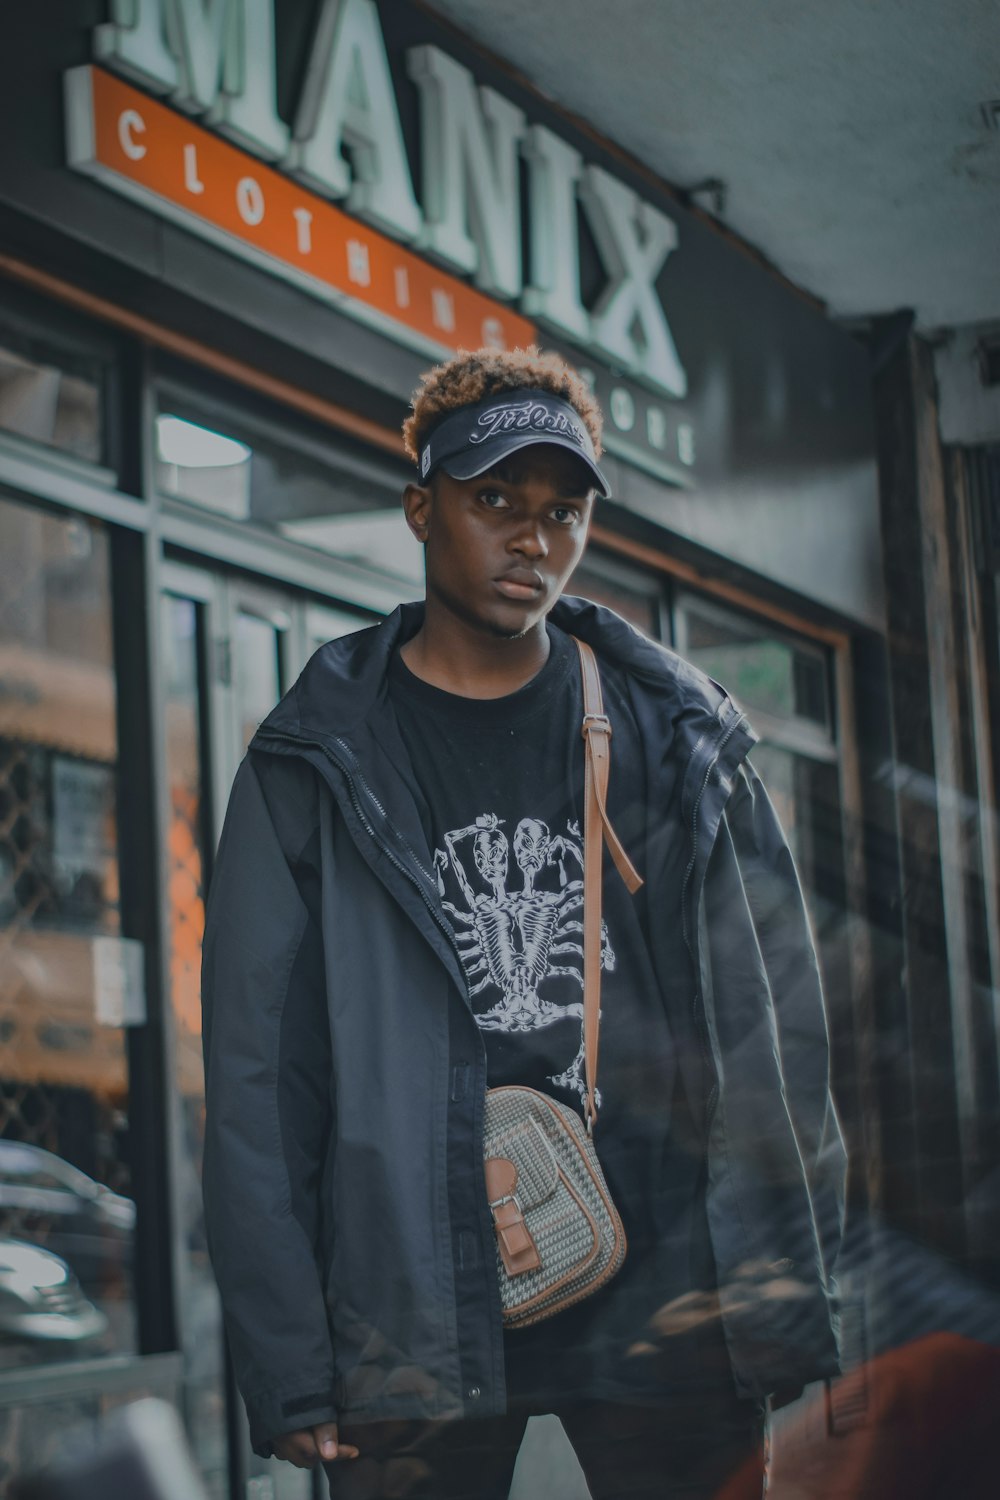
{"x": 50, "y": 404}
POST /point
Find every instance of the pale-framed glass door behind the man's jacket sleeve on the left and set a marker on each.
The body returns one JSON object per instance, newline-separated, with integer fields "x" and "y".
{"x": 229, "y": 650}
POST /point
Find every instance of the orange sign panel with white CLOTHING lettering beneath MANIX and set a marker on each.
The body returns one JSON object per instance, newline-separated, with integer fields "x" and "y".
{"x": 151, "y": 152}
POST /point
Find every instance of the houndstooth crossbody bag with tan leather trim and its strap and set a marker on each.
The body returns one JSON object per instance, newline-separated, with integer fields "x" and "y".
{"x": 560, "y": 1237}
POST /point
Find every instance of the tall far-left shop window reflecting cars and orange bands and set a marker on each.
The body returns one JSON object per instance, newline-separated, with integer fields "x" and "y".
{"x": 68, "y": 982}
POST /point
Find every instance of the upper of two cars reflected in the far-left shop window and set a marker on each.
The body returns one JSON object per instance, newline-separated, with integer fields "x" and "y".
{"x": 47, "y": 1201}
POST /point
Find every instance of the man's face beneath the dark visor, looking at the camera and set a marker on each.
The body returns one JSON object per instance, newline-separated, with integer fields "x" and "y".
{"x": 500, "y": 548}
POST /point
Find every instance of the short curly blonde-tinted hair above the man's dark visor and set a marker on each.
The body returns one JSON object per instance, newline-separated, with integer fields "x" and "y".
{"x": 473, "y": 376}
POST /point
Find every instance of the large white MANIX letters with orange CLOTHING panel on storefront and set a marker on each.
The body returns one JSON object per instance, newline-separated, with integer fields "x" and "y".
{"x": 346, "y": 145}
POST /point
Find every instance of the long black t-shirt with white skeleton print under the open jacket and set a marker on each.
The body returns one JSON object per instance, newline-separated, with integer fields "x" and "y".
{"x": 501, "y": 800}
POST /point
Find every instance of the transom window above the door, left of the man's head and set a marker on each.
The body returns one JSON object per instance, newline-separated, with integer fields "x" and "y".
{"x": 262, "y": 469}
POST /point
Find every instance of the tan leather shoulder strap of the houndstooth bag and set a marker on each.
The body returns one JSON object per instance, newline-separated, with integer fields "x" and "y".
{"x": 597, "y": 830}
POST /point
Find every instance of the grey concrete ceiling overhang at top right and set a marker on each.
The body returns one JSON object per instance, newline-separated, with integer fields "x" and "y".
{"x": 849, "y": 133}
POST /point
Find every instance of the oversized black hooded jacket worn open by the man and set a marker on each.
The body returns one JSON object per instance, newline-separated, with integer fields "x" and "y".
{"x": 346, "y": 1073}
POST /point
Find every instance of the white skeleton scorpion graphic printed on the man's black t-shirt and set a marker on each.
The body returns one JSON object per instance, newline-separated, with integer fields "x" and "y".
{"x": 519, "y": 931}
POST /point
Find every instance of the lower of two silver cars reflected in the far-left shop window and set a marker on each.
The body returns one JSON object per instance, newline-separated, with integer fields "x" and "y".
{"x": 41, "y": 1298}
